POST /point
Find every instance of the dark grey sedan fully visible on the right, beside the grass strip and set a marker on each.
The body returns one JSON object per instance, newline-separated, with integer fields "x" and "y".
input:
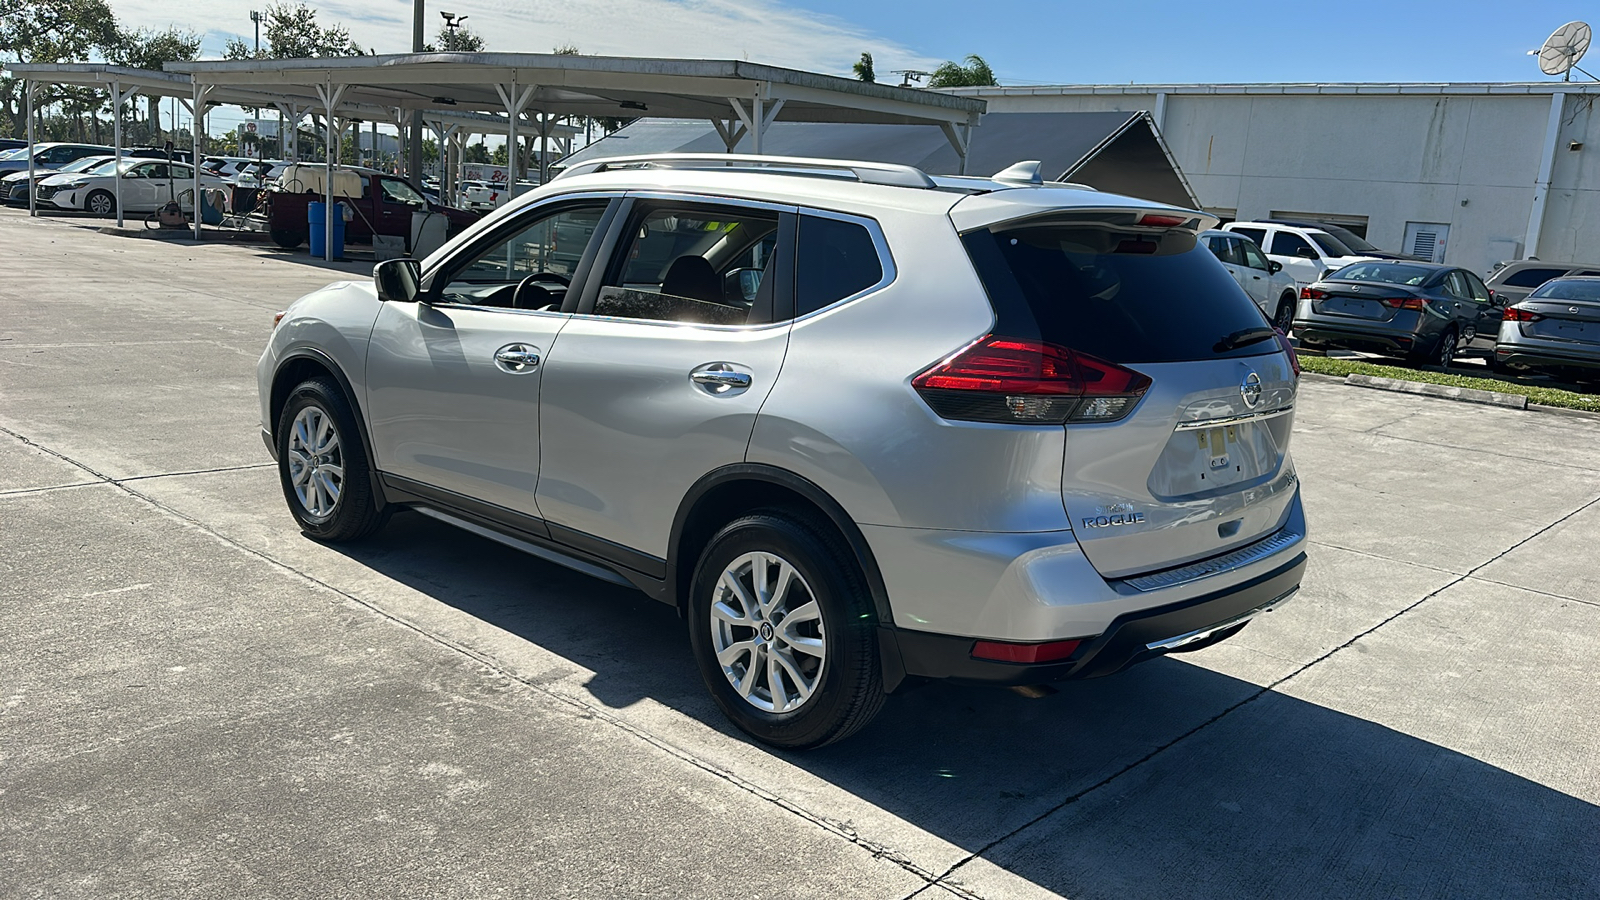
{"x": 1418, "y": 310}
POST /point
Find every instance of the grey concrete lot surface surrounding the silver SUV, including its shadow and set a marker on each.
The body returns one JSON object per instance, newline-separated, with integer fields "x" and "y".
{"x": 201, "y": 702}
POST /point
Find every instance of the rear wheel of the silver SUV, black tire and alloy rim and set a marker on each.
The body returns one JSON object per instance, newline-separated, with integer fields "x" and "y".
{"x": 783, "y": 630}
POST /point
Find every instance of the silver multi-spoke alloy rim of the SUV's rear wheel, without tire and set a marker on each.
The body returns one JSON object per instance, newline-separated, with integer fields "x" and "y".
{"x": 767, "y": 632}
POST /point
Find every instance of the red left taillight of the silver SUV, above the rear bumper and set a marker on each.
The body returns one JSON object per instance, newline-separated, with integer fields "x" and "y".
{"x": 1026, "y": 382}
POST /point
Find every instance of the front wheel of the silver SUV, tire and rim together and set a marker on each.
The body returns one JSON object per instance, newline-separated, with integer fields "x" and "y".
{"x": 322, "y": 464}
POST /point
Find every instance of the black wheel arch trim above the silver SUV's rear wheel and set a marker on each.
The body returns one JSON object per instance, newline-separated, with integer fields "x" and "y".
{"x": 729, "y": 492}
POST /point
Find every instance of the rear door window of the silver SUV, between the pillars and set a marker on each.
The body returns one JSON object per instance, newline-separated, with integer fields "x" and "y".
{"x": 700, "y": 265}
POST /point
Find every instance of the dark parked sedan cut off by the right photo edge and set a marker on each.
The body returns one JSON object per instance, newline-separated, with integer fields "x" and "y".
{"x": 1558, "y": 329}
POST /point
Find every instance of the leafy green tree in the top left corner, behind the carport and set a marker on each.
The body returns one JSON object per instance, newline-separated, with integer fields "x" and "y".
{"x": 50, "y": 31}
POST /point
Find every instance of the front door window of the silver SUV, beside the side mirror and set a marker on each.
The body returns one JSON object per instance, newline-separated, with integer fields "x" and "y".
{"x": 545, "y": 255}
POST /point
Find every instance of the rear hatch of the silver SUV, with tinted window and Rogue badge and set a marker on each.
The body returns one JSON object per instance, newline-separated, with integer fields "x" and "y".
{"x": 1186, "y": 456}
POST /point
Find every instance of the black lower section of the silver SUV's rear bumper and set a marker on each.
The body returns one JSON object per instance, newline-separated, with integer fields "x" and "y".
{"x": 1130, "y": 640}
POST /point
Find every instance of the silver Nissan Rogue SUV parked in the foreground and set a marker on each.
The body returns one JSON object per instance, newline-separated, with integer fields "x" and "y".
{"x": 862, "y": 427}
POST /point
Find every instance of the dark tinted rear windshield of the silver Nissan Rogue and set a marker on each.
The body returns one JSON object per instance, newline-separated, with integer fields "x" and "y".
{"x": 1116, "y": 295}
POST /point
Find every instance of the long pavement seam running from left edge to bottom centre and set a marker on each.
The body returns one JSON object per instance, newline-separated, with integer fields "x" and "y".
{"x": 839, "y": 829}
